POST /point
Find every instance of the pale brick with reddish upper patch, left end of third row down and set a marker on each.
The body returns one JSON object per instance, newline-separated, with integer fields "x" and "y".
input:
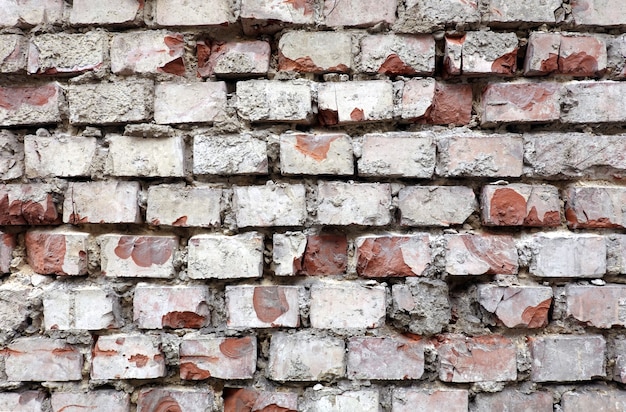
{"x": 30, "y": 105}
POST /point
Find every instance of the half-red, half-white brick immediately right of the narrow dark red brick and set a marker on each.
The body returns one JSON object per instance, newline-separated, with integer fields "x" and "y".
{"x": 392, "y": 255}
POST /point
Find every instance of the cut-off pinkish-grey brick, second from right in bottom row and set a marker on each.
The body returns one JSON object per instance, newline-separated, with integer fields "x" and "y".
{"x": 513, "y": 400}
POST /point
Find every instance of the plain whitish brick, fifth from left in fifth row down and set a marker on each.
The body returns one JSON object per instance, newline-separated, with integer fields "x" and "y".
{"x": 354, "y": 203}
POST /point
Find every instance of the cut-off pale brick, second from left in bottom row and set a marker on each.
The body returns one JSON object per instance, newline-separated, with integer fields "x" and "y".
{"x": 96, "y": 401}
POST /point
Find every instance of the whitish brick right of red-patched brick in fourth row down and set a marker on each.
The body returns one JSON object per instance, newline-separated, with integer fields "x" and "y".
{"x": 397, "y": 154}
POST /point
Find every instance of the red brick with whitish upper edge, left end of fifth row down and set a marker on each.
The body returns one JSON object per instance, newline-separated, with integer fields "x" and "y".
{"x": 28, "y": 204}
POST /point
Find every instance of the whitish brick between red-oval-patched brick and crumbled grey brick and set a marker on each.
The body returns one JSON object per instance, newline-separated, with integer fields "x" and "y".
{"x": 347, "y": 305}
